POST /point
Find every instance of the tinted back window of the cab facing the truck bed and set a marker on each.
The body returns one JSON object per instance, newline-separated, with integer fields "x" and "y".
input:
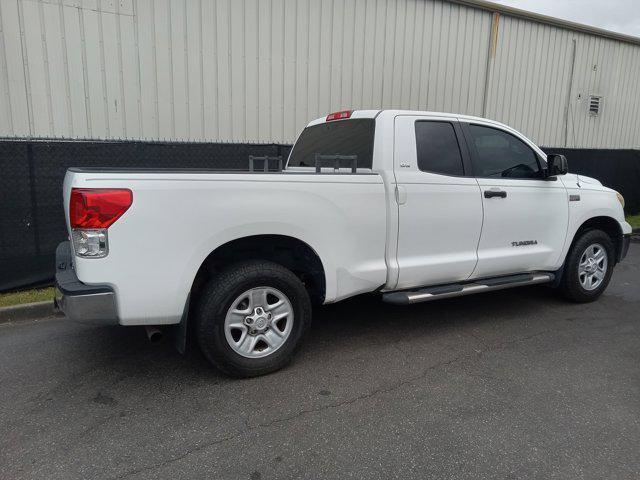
{"x": 342, "y": 137}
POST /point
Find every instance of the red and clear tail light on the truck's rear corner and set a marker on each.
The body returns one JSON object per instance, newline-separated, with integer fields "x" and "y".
{"x": 91, "y": 212}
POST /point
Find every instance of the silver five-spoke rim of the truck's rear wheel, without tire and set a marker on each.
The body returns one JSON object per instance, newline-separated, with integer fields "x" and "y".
{"x": 258, "y": 322}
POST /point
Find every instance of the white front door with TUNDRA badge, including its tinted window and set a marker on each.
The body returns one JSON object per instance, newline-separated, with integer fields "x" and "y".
{"x": 525, "y": 215}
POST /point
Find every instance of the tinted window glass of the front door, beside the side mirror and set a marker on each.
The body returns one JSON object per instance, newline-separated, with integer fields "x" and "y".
{"x": 502, "y": 155}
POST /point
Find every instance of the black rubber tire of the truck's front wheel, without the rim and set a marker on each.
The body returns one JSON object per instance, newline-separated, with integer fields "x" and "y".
{"x": 570, "y": 285}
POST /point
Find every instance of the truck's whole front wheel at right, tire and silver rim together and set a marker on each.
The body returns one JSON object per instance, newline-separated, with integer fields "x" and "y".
{"x": 588, "y": 267}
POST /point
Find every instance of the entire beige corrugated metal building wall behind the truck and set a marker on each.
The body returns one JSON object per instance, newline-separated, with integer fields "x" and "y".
{"x": 258, "y": 70}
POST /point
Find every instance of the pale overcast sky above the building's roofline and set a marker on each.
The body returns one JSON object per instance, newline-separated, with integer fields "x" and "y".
{"x": 618, "y": 15}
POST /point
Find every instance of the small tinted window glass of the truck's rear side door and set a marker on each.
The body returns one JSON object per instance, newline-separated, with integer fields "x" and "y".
{"x": 437, "y": 148}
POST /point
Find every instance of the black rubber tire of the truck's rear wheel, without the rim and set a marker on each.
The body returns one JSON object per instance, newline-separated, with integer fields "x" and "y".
{"x": 216, "y": 299}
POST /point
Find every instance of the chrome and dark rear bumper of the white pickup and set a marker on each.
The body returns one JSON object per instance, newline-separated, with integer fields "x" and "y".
{"x": 94, "y": 304}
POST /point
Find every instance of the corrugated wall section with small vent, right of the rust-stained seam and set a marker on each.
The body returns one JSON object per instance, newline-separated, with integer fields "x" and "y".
{"x": 534, "y": 68}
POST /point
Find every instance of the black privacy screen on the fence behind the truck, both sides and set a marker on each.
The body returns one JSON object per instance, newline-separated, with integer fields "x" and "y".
{"x": 31, "y": 173}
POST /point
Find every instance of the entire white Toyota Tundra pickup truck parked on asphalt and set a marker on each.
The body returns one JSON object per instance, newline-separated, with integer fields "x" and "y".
{"x": 415, "y": 206}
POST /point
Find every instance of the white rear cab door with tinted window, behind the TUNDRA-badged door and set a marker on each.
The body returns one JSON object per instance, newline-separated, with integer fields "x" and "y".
{"x": 439, "y": 202}
